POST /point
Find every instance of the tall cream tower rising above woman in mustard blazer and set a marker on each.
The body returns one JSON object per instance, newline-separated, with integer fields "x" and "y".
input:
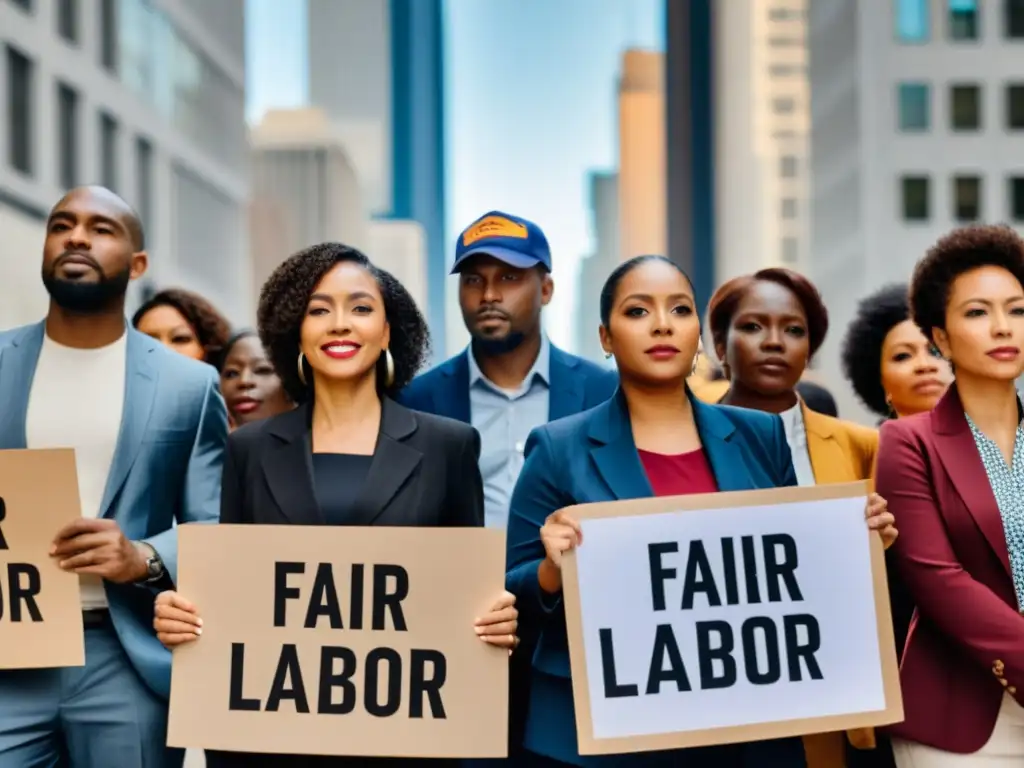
{"x": 761, "y": 136}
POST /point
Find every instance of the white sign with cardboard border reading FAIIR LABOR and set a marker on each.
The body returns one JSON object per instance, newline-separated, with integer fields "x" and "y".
{"x": 726, "y": 618}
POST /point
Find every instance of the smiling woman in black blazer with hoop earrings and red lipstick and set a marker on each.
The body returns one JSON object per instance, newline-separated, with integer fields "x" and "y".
{"x": 345, "y": 337}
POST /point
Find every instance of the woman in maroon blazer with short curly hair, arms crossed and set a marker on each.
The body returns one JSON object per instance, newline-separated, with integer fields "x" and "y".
{"x": 955, "y": 481}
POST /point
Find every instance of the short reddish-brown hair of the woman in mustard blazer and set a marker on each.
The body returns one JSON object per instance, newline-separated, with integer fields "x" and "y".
{"x": 723, "y": 305}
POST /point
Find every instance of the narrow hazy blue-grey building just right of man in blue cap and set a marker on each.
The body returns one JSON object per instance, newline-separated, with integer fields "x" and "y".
{"x": 598, "y": 266}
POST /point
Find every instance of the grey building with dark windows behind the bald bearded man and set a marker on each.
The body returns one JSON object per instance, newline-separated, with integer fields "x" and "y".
{"x": 147, "y": 99}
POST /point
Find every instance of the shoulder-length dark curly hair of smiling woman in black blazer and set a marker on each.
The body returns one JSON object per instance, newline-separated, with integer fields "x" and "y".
{"x": 283, "y": 308}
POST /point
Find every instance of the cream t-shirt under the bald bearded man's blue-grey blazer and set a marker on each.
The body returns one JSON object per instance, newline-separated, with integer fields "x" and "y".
{"x": 77, "y": 402}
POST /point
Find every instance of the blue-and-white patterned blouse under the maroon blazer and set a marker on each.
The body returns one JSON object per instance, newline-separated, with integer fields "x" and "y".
{"x": 1008, "y": 488}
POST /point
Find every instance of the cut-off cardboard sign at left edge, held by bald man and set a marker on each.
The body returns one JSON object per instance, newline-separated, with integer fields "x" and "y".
{"x": 40, "y": 607}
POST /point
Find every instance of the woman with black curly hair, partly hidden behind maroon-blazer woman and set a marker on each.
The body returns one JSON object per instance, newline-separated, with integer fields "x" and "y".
{"x": 894, "y": 370}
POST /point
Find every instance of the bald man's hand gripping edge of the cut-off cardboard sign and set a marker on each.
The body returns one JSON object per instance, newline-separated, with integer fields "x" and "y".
{"x": 101, "y": 548}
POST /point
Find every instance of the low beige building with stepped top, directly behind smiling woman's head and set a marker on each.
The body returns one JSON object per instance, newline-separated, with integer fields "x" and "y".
{"x": 305, "y": 190}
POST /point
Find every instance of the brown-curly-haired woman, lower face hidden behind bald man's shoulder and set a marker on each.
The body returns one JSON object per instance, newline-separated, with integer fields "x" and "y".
{"x": 185, "y": 322}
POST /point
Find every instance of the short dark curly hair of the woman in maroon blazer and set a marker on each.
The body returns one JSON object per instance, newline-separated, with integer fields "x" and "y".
{"x": 961, "y": 251}
